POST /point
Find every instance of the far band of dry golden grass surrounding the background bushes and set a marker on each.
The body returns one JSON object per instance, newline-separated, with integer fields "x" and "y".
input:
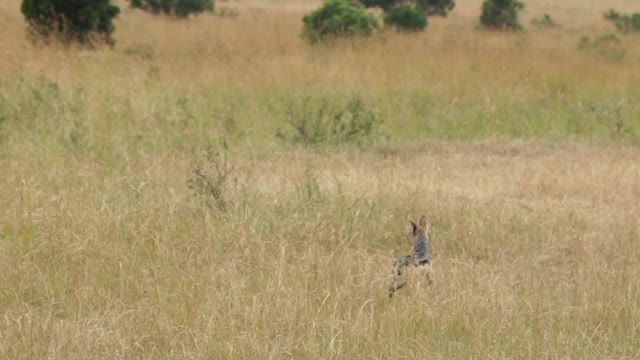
{"x": 262, "y": 48}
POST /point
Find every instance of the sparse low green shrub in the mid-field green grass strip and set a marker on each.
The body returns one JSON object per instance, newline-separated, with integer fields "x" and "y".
{"x": 323, "y": 121}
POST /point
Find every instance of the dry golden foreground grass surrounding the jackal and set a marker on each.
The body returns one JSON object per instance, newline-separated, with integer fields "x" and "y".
{"x": 534, "y": 249}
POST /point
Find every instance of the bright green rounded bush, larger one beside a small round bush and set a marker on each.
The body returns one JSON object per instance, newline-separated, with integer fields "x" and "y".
{"x": 338, "y": 18}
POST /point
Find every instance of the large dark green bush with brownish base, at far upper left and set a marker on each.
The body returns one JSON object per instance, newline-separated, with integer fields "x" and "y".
{"x": 85, "y": 21}
